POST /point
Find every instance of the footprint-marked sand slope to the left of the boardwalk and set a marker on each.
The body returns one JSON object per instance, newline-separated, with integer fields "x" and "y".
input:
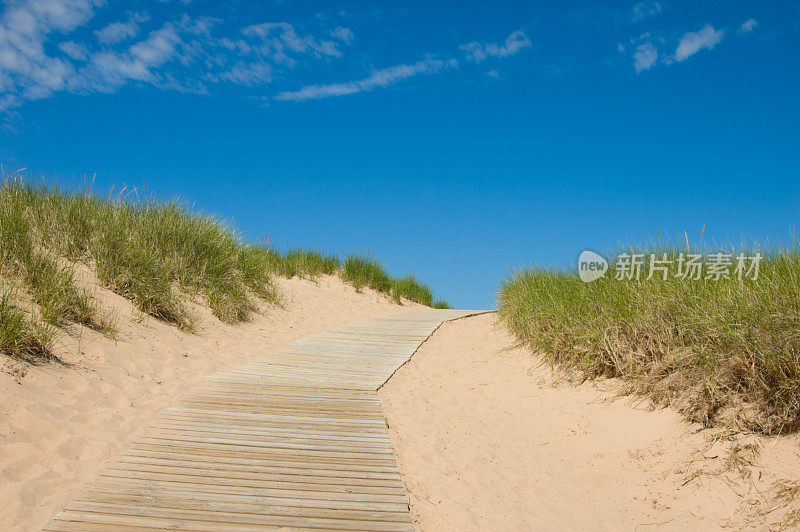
{"x": 59, "y": 423}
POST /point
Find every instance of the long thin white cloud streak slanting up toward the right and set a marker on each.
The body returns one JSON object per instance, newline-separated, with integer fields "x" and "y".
{"x": 378, "y": 78}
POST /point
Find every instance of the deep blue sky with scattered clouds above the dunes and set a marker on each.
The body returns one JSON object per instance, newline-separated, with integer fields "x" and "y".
{"x": 454, "y": 139}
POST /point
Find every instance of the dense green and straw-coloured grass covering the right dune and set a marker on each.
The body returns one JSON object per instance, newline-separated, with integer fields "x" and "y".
{"x": 720, "y": 351}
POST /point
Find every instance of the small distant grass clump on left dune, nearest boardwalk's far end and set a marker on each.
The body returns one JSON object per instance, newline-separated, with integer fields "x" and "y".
{"x": 362, "y": 270}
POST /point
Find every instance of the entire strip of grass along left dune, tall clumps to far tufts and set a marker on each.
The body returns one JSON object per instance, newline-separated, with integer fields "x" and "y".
{"x": 157, "y": 254}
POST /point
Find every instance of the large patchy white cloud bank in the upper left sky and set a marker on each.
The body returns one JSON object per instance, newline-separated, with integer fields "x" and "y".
{"x": 179, "y": 55}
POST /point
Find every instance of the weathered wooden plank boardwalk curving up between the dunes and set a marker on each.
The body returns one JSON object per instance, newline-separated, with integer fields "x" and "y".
{"x": 295, "y": 440}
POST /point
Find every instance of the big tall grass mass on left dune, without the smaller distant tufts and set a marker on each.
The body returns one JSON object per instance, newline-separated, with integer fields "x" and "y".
{"x": 153, "y": 253}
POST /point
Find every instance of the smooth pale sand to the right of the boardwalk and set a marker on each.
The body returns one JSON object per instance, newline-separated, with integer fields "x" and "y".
{"x": 484, "y": 439}
